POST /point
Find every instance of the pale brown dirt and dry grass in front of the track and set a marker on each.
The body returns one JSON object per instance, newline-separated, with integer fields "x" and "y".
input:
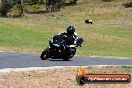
{"x": 60, "y": 78}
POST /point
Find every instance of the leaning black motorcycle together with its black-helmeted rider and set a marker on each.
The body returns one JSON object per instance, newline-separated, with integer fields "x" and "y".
{"x": 60, "y": 45}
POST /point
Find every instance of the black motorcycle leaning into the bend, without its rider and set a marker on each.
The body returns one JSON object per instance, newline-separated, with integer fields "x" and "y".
{"x": 58, "y": 49}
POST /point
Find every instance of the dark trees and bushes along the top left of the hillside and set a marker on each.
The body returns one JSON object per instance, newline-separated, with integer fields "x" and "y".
{"x": 8, "y": 6}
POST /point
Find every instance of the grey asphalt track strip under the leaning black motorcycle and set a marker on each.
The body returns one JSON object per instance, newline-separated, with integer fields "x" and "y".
{"x": 24, "y": 60}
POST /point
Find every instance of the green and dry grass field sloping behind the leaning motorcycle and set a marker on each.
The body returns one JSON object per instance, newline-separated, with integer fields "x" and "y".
{"x": 31, "y": 32}
